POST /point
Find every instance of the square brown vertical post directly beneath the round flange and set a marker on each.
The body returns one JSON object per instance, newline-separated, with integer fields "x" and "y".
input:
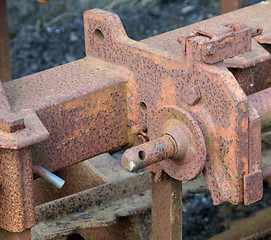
{"x": 167, "y": 209}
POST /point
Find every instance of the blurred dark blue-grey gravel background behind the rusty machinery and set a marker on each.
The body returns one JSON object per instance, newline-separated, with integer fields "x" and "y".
{"x": 44, "y": 34}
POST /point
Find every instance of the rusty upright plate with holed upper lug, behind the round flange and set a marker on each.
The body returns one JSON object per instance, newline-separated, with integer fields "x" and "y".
{"x": 162, "y": 79}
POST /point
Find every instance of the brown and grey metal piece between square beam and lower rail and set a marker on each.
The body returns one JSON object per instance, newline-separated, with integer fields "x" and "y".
{"x": 79, "y": 177}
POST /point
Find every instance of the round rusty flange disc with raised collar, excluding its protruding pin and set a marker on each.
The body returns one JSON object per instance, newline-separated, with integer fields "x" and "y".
{"x": 188, "y": 136}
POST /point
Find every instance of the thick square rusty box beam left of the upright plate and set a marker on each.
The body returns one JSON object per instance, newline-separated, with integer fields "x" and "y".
{"x": 80, "y": 98}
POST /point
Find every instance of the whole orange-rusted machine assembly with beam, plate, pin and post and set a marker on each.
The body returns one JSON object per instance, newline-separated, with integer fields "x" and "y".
{"x": 191, "y": 100}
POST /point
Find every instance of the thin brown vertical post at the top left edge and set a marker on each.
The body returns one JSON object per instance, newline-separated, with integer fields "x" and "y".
{"x": 5, "y": 71}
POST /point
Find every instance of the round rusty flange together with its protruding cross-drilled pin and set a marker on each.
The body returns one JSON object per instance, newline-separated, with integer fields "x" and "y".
{"x": 177, "y": 144}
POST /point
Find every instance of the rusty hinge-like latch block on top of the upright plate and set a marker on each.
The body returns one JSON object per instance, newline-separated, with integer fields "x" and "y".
{"x": 221, "y": 42}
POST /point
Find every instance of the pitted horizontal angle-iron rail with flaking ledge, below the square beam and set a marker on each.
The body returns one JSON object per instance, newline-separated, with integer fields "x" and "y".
{"x": 96, "y": 207}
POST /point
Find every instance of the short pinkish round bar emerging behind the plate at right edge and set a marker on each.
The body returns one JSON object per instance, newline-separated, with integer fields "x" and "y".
{"x": 262, "y": 102}
